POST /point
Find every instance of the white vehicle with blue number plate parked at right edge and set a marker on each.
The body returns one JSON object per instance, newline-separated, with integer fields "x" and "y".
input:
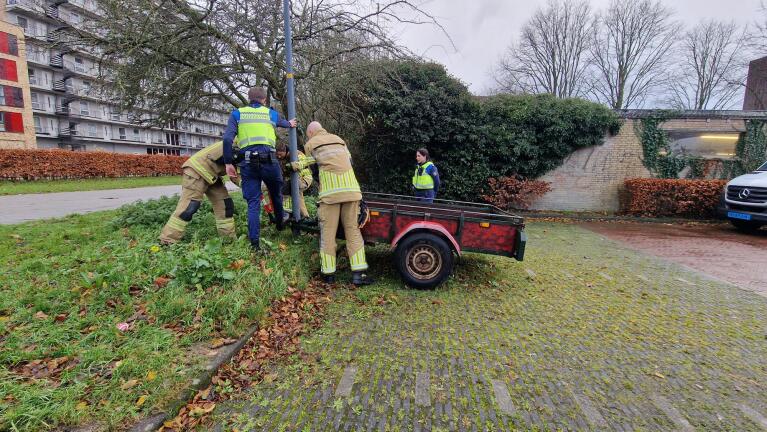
{"x": 745, "y": 200}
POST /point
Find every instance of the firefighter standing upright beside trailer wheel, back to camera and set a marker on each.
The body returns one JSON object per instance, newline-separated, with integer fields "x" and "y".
{"x": 339, "y": 201}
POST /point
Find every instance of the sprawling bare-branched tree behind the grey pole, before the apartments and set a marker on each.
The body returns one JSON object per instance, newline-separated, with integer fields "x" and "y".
{"x": 180, "y": 57}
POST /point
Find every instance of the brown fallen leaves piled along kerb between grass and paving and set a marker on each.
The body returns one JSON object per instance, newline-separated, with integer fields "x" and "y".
{"x": 289, "y": 317}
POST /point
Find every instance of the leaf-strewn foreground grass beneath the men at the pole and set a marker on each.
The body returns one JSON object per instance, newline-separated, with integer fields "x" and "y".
{"x": 66, "y": 284}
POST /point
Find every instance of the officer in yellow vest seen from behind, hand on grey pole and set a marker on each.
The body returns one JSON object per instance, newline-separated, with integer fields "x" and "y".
{"x": 254, "y": 126}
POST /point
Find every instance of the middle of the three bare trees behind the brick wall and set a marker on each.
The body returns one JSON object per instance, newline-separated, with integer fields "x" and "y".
{"x": 630, "y": 49}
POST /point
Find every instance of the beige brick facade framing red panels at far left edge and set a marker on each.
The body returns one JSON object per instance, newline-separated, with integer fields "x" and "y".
{"x": 9, "y": 140}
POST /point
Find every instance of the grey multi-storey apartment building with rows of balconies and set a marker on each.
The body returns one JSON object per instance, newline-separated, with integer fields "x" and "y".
{"x": 68, "y": 112}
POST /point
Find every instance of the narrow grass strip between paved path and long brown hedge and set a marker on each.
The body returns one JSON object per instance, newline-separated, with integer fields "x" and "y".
{"x": 44, "y": 186}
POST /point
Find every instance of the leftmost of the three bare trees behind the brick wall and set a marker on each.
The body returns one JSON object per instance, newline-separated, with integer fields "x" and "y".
{"x": 551, "y": 55}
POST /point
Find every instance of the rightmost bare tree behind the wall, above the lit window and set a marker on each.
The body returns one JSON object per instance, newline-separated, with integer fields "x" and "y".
{"x": 712, "y": 68}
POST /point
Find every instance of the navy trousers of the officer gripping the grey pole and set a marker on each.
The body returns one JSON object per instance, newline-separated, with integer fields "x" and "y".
{"x": 253, "y": 173}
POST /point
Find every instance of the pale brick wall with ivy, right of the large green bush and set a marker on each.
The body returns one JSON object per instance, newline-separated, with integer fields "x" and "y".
{"x": 590, "y": 179}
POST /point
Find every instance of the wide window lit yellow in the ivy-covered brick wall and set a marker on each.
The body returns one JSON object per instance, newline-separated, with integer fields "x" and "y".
{"x": 706, "y": 145}
